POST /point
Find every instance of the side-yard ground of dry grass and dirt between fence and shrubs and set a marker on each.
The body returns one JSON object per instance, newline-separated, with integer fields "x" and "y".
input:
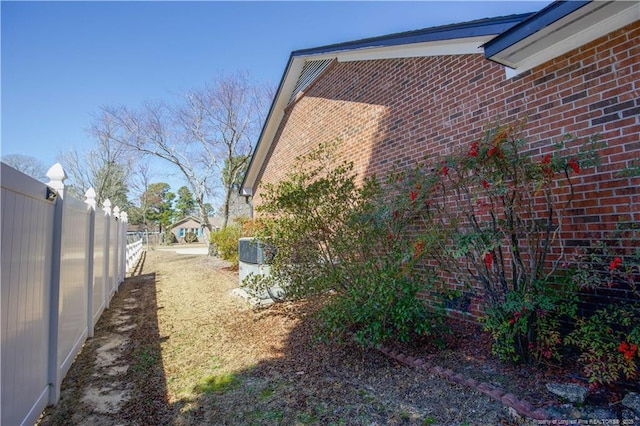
{"x": 176, "y": 347}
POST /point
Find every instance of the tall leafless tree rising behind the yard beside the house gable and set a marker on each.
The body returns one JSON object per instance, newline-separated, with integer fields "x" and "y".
{"x": 199, "y": 137}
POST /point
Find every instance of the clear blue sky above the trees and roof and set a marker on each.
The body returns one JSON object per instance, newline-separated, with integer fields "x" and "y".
{"x": 62, "y": 61}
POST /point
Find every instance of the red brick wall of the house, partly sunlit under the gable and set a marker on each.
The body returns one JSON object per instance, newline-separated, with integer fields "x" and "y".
{"x": 388, "y": 112}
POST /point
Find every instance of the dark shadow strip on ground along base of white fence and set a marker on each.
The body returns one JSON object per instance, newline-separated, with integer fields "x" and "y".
{"x": 118, "y": 377}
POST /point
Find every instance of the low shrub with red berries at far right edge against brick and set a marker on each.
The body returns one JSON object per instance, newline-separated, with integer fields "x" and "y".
{"x": 608, "y": 340}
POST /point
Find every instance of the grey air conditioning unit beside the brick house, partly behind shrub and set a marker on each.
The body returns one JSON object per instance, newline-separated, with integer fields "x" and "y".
{"x": 254, "y": 257}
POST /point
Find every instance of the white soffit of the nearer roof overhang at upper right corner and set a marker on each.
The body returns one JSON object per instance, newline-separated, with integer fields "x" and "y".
{"x": 586, "y": 24}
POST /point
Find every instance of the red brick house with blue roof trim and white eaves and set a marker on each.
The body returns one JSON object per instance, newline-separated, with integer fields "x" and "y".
{"x": 573, "y": 67}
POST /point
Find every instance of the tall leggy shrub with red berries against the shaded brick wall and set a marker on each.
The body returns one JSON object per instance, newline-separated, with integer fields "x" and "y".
{"x": 498, "y": 212}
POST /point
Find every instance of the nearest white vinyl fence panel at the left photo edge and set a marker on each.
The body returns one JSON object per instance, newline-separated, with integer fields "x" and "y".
{"x": 26, "y": 229}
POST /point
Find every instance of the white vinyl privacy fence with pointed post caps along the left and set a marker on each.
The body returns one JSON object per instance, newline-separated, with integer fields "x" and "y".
{"x": 62, "y": 261}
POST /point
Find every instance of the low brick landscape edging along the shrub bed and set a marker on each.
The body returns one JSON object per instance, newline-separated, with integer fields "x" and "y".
{"x": 522, "y": 407}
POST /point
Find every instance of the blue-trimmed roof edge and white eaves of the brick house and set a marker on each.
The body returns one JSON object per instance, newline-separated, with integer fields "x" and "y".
{"x": 518, "y": 42}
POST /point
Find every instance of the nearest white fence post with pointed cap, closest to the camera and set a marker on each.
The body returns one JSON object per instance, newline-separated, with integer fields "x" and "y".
{"x": 56, "y": 177}
